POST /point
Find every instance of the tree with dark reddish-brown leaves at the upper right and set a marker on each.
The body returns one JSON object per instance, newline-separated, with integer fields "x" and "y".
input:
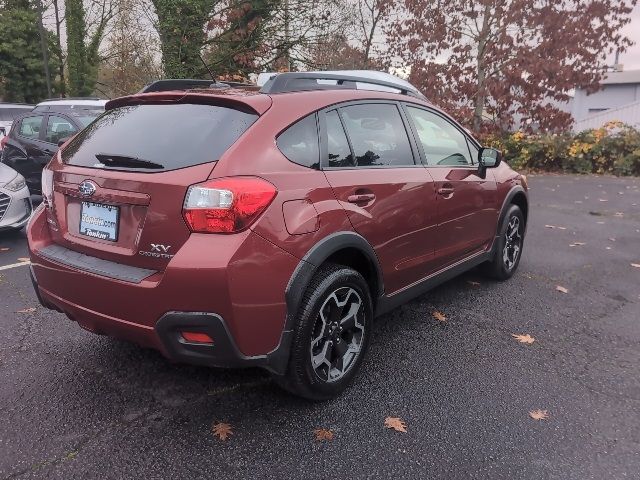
{"x": 493, "y": 59}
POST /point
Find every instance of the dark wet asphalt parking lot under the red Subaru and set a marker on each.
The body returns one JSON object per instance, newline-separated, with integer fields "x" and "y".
{"x": 74, "y": 405}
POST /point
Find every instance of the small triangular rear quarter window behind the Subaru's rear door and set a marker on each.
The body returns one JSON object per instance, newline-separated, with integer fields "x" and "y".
{"x": 299, "y": 143}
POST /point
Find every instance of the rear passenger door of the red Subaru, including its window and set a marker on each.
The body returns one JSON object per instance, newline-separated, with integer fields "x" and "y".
{"x": 370, "y": 162}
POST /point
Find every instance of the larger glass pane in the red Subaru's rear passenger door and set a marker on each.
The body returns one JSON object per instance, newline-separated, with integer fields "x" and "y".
{"x": 377, "y": 135}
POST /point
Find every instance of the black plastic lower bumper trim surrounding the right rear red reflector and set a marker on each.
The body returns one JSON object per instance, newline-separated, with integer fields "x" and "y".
{"x": 224, "y": 352}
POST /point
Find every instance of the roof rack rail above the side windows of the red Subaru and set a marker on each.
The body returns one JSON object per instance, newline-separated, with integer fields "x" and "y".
{"x": 305, "y": 81}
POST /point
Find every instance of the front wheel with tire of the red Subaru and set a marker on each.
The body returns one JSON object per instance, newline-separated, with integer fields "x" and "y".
{"x": 508, "y": 246}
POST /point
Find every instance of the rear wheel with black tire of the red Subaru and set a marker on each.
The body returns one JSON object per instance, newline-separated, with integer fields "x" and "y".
{"x": 331, "y": 334}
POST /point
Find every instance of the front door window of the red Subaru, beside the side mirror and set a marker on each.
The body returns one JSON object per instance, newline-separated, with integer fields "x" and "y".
{"x": 442, "y": 142}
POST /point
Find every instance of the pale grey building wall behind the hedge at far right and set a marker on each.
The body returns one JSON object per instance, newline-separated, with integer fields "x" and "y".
{"x": 611, "y": 96}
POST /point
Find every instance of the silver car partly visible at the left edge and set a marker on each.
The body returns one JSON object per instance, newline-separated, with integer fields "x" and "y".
{"x": 15, "y": 200}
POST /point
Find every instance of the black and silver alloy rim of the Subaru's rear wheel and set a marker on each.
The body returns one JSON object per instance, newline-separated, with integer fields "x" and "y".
{"x": 338, "y": 333}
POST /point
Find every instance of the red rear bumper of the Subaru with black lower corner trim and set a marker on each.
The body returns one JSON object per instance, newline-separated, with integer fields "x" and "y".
{"x": 213, "y": 285}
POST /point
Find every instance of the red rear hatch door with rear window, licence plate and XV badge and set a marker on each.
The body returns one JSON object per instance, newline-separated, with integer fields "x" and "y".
{"x": 120, "y": 184}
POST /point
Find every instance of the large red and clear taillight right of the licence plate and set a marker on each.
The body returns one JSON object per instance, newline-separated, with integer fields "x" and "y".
{"x": 226, "y": 205}
